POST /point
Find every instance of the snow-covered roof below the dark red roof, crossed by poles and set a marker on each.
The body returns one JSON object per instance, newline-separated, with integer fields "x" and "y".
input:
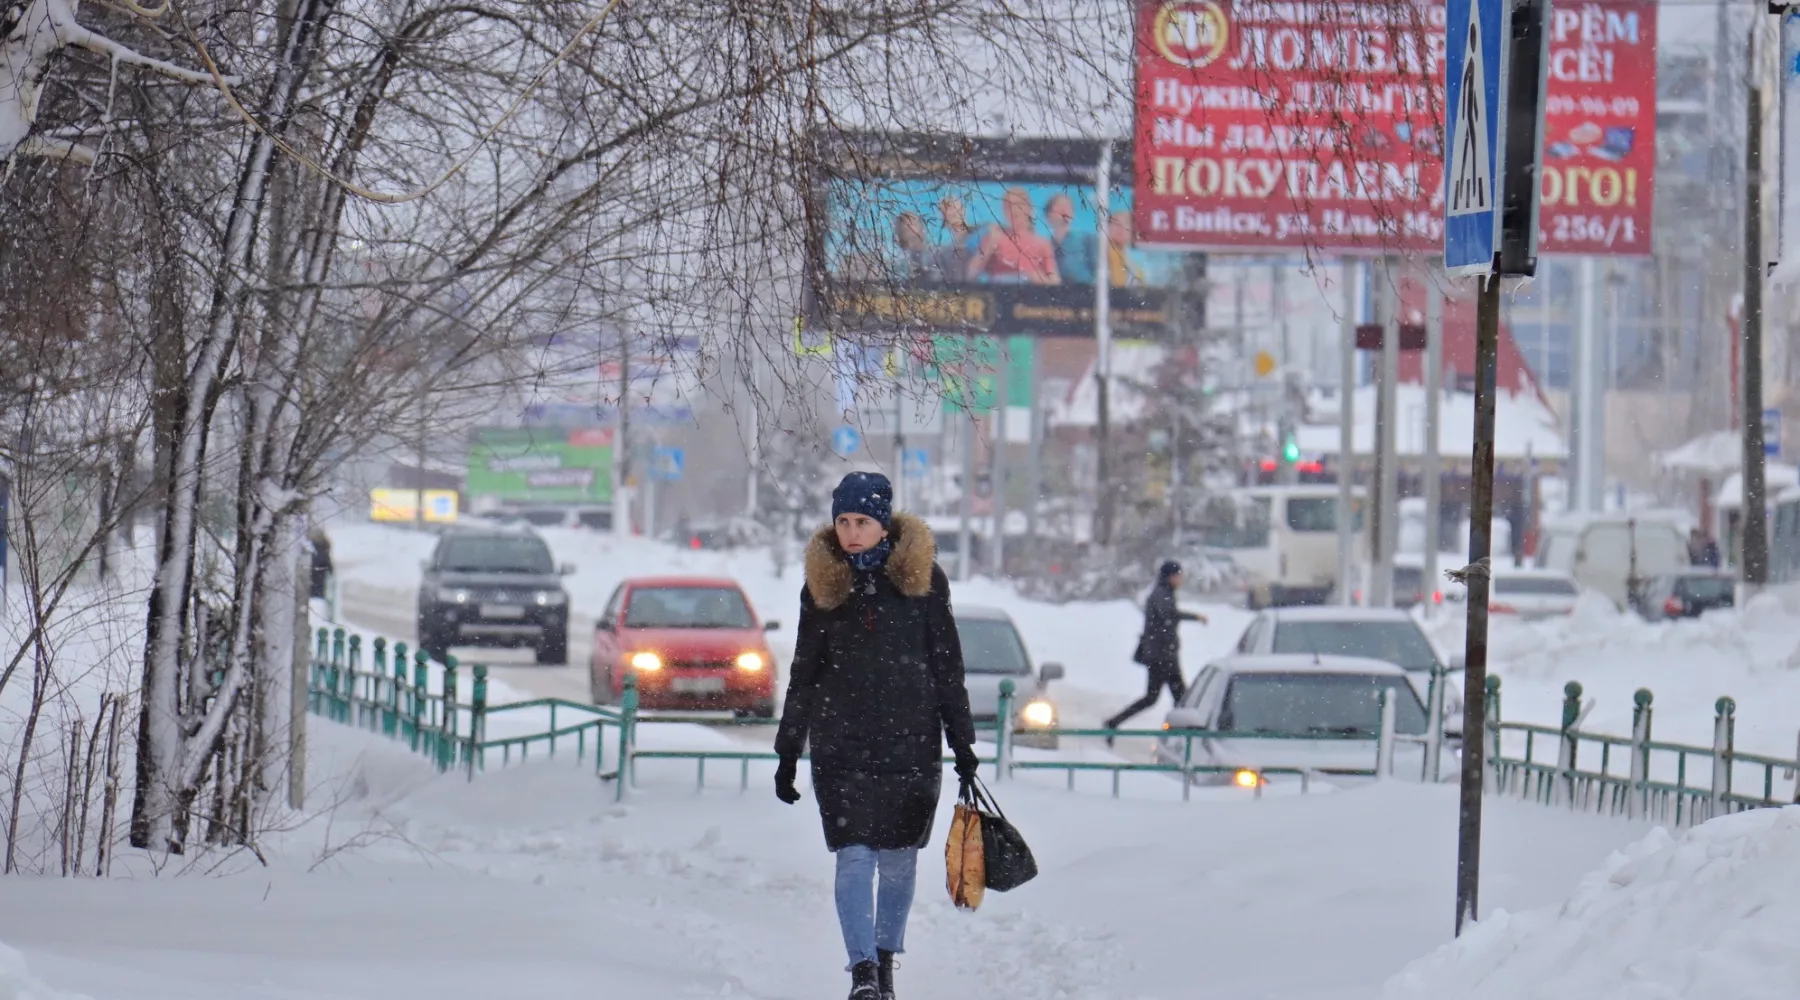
{"x": 1522, "y": 427}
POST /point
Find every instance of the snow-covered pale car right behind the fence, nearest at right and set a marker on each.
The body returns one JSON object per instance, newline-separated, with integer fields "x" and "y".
{"x": 1293, "y": 697}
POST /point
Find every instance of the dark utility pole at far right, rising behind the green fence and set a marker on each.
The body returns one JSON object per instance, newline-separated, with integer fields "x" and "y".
{"x": 1756, "y": 560}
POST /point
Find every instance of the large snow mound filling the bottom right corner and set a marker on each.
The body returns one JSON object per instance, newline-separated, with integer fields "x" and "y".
{"x": 1707, "y": 916}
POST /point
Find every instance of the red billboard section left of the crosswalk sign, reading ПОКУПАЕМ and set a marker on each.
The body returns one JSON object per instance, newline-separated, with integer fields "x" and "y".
{"x": 1290, "y": 125}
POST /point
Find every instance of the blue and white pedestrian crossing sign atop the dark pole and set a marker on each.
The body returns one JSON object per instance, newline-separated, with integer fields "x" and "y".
{"x": 1471, "y": 156}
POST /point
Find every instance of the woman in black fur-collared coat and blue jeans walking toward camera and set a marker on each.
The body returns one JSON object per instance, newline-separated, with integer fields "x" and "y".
{"x": 877, "y": 688}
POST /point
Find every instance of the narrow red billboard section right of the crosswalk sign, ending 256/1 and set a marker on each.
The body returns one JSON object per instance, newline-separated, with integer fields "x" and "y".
{"x": 1599, "y": 129}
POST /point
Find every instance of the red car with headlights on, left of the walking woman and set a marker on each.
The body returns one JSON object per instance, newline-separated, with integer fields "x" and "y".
{"x": 692, "y": 643}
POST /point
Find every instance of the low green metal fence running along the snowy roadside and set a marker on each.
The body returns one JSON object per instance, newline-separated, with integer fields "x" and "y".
{"x": 391, "y": 693}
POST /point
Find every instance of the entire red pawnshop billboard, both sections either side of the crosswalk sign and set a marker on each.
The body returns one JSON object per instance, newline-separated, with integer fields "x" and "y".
{"x": 1317, "y": 125}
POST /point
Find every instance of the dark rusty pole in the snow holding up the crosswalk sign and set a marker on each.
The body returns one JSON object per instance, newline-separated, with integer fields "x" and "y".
{"x": 1475, "y": 648}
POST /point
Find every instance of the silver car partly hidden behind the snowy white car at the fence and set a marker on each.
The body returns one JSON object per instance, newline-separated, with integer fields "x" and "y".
{"x": 1372, "y": 634}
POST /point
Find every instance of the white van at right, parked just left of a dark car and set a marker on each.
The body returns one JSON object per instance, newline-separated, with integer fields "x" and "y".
{"x": 1615, "y": 553}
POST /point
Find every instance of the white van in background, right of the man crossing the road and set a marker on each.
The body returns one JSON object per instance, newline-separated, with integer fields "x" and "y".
{"x": 1284, "y": 539}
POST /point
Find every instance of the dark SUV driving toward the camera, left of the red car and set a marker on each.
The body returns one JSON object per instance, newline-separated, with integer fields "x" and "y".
{"x": 494, "y": 587}
